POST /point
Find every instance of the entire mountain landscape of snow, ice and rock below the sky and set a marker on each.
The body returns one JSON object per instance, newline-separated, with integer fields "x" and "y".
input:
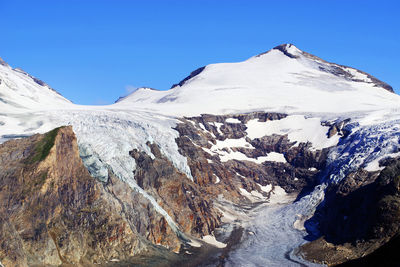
{"x": 161, "y": 181}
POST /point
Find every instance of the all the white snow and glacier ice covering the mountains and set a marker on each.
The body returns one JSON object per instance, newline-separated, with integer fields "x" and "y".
{"x": 272, "y": 82}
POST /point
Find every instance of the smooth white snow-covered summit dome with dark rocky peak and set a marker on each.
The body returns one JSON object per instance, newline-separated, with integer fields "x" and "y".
{"x": 282, "y": 79}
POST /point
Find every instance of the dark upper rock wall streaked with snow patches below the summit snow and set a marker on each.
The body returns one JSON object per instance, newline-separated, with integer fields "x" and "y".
{"x": 300, "y": 170}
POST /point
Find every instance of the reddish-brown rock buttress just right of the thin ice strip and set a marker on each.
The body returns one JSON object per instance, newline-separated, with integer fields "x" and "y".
{"x": 184, "y": 200}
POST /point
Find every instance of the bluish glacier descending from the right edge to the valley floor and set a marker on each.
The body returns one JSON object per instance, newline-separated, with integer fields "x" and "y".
{"x": 276, "y": 236}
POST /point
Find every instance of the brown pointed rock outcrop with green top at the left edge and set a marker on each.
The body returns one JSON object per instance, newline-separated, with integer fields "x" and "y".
{"x": 52, "y": 212}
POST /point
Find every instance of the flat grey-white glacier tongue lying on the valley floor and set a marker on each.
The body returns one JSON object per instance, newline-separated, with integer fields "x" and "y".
{"x": 274, "y": 239}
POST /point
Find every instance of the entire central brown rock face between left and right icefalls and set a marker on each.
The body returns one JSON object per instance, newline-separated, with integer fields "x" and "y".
{"x": 190, "y": 203}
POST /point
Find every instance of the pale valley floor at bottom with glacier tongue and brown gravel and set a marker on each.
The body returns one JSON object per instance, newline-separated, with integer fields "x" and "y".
{"x": 267, "y": 234}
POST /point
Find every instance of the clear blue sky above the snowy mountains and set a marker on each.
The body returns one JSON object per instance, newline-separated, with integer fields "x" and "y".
{"x": 91, "y": 51}
